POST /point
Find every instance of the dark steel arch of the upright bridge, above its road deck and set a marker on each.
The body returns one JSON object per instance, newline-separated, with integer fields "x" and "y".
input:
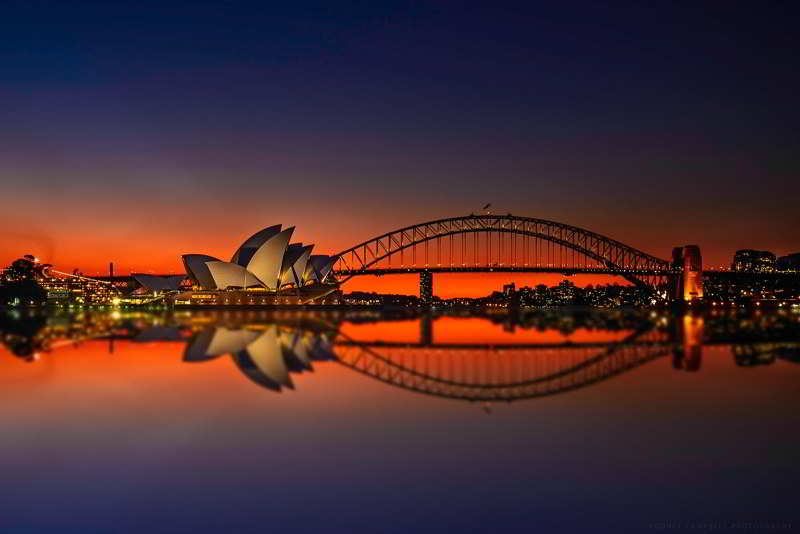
{"x": 611, "y": 256}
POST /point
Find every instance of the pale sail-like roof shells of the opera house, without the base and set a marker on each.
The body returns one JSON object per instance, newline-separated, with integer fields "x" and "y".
{"x": 265, "y": 261}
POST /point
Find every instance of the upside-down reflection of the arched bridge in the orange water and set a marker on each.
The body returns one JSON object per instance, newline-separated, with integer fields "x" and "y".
{"x": 491, "y": 373}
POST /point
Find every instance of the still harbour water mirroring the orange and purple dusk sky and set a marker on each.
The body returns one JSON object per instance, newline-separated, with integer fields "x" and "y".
{"x": 299, "y": 421}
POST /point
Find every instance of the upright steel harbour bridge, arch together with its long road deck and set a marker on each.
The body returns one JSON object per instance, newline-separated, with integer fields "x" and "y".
{"x": 509, "y": 244}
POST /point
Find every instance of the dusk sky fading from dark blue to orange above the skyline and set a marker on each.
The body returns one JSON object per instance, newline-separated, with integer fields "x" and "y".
{"x": 133, "y": 132}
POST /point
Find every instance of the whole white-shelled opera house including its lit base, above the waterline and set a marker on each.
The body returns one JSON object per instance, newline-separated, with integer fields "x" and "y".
{"x": 265, "y": 270}
